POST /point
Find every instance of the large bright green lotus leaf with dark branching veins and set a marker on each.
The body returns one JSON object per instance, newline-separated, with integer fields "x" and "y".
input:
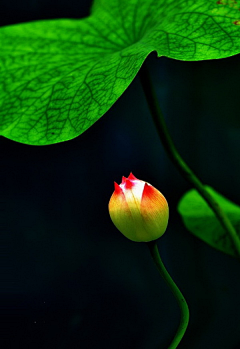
{"x": 58, "y": 77}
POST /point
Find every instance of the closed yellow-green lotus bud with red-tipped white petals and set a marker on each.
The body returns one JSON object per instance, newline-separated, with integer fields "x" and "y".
{"x": 138, "y": 210}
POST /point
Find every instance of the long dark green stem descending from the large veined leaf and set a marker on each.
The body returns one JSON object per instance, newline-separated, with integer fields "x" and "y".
{"x": 173, "y": 154}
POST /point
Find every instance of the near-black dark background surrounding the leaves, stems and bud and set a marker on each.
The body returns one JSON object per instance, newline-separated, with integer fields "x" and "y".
{"x": 70, "y": 280}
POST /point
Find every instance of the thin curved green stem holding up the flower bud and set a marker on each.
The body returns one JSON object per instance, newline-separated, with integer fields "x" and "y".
{"x": 176, "y": 292}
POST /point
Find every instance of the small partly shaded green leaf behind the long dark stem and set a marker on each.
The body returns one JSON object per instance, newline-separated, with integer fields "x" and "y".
{"x": 200, "y": 220}
